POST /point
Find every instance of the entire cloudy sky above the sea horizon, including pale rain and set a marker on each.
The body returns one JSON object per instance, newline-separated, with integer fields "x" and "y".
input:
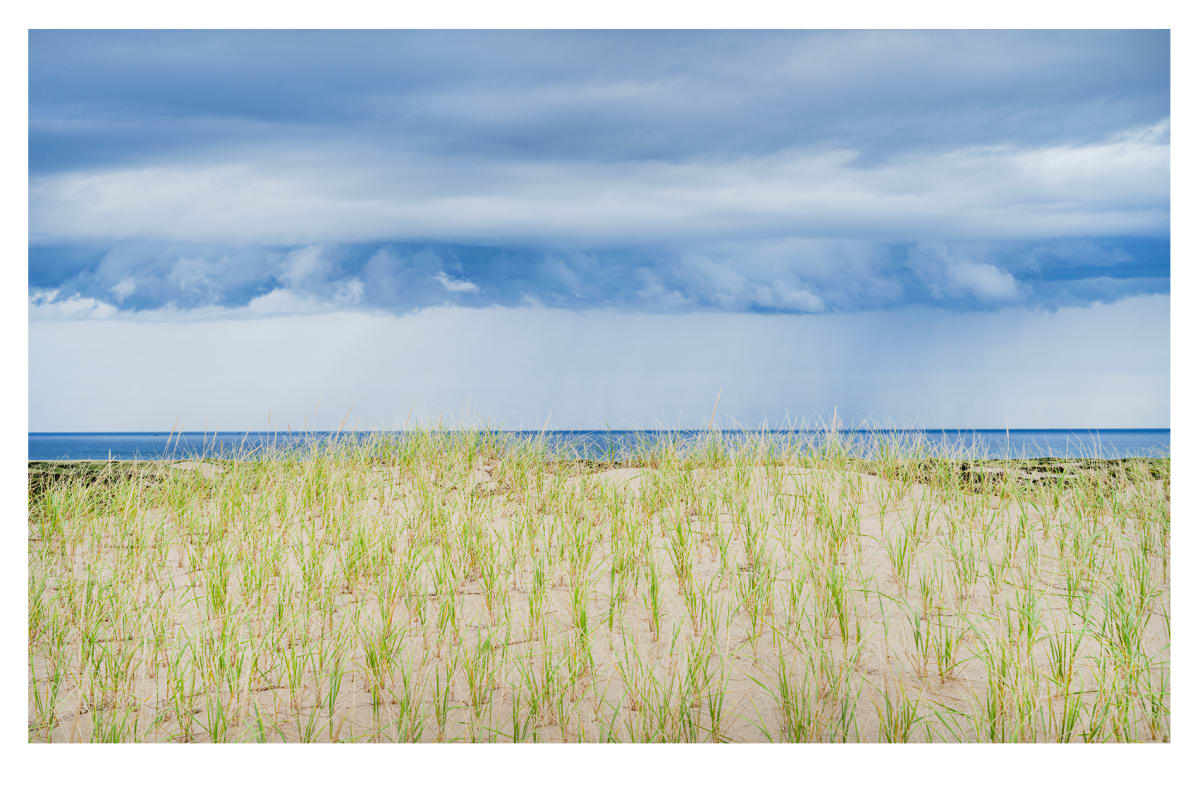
{"x": 259, "y": 230}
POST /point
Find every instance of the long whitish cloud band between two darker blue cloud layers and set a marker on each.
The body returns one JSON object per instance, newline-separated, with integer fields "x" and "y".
{"x": 1115, "y": 188}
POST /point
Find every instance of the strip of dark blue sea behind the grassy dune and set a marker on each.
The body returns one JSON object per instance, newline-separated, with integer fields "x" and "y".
{"x": 986, "y": 444}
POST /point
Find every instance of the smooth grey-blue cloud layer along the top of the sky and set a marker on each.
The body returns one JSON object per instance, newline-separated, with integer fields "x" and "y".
{"x": 112, "y": 97}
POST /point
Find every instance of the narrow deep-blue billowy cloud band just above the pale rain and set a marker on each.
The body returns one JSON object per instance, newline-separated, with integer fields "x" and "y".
{"x": 772, "y": 277}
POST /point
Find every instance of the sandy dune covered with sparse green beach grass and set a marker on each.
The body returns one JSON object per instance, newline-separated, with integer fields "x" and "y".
{"x": 472, "y": 586}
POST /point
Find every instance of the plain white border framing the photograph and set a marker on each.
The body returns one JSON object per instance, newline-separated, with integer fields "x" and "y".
{"x": 587, "y": 770}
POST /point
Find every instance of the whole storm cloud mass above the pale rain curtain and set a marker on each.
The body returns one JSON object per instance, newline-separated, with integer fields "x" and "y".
{"x": 779, "y": 172}
